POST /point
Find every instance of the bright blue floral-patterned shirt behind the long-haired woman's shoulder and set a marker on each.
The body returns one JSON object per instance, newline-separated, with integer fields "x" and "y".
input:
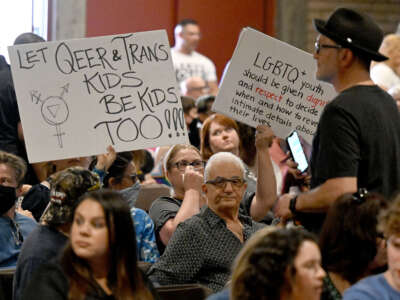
{"x": 145, "y": 237}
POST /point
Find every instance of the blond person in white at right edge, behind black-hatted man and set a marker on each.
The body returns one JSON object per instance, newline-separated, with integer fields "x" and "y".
{"x": 387, "y": 74}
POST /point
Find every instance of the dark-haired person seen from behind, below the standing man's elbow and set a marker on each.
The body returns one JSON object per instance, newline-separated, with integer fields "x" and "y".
{"x": 351, "y": 246}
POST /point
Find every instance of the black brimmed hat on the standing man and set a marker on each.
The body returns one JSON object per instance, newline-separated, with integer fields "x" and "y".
{"x": 353, "y": 30}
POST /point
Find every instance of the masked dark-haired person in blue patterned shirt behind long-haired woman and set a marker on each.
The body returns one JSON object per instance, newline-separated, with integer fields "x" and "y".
{"x": 122, "y": 177}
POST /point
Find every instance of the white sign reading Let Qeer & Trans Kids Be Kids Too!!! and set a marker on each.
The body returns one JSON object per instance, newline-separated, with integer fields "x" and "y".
{"x": 77, "y": 97}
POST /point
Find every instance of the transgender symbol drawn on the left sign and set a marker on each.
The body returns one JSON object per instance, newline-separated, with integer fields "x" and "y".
{"x": 54, "y": 111}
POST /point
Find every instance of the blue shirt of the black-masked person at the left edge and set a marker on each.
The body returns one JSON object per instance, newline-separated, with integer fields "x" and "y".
{"x": 12, "y": 234}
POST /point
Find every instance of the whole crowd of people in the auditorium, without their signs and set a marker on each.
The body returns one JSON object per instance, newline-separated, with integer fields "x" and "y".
{"x": 70, "y": 229}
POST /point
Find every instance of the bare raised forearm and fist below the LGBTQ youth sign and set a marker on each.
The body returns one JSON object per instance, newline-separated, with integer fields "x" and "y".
{"x": 266, "y": 182}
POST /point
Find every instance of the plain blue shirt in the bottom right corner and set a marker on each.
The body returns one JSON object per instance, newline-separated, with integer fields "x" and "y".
{"x": 371, "y": 288}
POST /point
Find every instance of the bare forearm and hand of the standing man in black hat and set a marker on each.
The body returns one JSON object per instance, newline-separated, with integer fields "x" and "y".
{"x": 318, "y": 199}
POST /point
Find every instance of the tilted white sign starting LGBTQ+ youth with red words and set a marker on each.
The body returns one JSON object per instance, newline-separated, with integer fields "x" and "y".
{"x": 271, "y": 82}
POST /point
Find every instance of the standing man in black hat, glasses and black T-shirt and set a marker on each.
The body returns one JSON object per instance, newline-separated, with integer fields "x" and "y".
{"x": 357, "y": 143}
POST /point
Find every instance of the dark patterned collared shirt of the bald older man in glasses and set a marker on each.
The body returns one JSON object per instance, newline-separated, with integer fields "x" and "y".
{"x": 201, "y": 250}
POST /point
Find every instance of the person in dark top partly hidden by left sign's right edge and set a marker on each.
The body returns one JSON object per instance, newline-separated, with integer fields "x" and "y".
{"x": 191, "y": 119}
